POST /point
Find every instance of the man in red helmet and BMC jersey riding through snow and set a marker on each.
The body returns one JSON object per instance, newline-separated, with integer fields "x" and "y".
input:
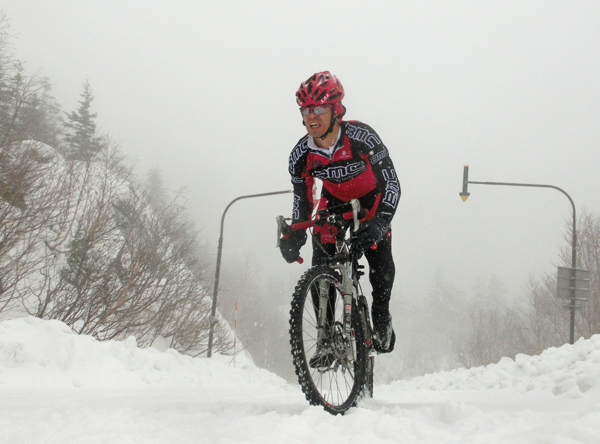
{"x": 353, "y": 163}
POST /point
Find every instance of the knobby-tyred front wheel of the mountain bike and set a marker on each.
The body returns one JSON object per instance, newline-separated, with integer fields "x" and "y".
{"x": 336, "y": 382}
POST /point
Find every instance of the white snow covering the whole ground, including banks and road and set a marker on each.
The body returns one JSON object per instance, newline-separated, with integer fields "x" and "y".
{"x": 59, "y": 387}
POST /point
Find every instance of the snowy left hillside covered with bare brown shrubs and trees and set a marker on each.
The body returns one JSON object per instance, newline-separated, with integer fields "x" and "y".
{"x": 82, "y": 240}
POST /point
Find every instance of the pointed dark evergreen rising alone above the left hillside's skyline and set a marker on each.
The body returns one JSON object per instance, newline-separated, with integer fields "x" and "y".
{"x": 83, "y": 143}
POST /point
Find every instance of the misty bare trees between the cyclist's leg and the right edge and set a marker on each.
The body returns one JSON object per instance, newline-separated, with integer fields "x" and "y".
{"x": 447, "y": 330}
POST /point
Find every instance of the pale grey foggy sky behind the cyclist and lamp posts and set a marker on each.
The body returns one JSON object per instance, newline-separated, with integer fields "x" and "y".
{"x": 205, "y": 90}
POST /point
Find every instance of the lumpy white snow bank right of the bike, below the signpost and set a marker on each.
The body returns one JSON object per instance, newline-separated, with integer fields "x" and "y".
{"x": 570, "y": 370}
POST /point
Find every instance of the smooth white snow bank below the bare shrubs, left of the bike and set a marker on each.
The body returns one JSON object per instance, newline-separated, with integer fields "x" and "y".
{"x": 39, "y": 354}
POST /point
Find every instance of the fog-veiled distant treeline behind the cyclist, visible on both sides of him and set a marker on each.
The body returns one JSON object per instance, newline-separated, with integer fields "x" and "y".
{"x": 439, "y": 330}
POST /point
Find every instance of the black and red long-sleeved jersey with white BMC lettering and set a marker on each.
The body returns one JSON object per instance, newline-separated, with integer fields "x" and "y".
{"x": 357, "y": 167}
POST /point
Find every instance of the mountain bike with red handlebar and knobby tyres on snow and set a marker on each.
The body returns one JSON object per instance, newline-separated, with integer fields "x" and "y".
{"x": 330, "y": 328}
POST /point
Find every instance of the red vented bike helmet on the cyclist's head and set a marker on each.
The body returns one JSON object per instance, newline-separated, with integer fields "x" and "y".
{"x": 323, "y": 88}
